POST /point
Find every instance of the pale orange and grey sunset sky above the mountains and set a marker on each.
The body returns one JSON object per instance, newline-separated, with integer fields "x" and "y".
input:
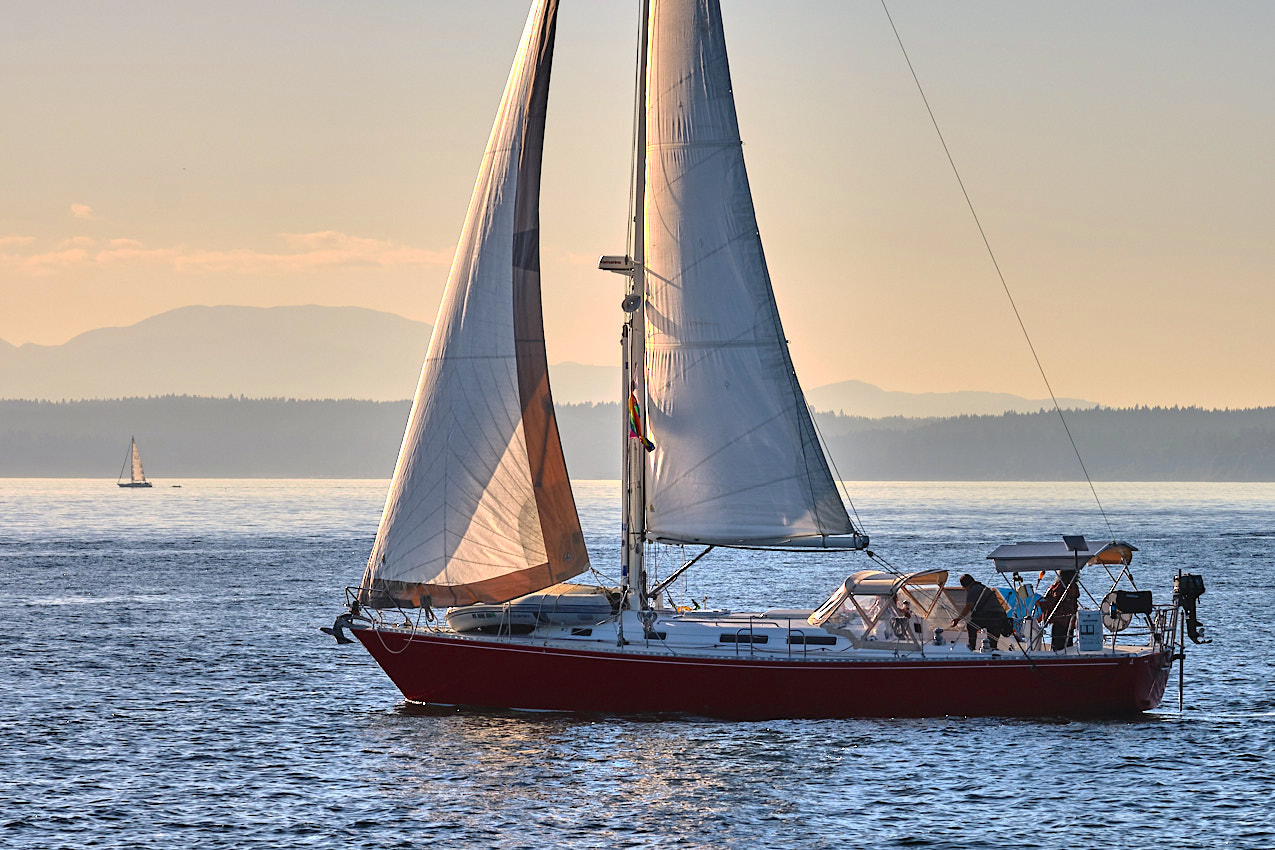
{"x": 165, "y": 154}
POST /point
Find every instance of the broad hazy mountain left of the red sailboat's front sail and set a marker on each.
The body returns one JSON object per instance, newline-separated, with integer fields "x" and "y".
{"x": 291, "y": 352}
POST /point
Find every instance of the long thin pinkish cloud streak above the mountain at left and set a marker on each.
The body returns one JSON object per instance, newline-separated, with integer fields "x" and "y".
{"x": 307, "y": 253}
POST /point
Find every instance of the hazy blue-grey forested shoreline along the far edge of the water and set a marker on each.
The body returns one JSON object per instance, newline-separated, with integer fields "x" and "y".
{"x": 239, "y": 438}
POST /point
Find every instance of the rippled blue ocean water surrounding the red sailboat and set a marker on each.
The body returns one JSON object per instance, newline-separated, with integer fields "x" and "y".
{"x": 165, "y": 686}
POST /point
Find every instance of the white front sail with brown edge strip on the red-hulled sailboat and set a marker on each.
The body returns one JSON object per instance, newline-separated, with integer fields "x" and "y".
{"x": 480, "y": 508}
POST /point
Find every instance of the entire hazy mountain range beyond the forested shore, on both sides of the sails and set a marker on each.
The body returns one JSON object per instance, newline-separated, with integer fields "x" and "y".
{"x": 346, "y": 354}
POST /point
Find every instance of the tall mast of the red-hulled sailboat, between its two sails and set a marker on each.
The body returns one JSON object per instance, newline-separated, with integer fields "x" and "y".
{"x": 634, "y": 350}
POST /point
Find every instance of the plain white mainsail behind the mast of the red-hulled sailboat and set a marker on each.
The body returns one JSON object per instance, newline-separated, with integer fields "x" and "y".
{"x": 738, "y": 459}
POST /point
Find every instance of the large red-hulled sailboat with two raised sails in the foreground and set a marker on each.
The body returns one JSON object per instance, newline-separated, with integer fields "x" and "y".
{"x": 467, "y": 600}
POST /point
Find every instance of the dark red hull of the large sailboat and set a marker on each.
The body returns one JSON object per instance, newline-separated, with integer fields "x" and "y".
{"x": 466, "y": 672}
